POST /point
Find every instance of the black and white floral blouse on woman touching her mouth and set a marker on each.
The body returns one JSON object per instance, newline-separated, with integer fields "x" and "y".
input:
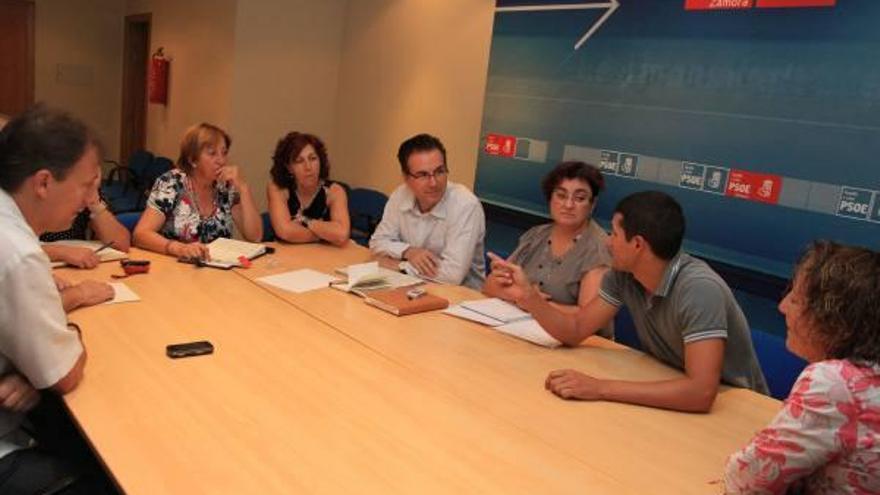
{"x": 173, "y": 197}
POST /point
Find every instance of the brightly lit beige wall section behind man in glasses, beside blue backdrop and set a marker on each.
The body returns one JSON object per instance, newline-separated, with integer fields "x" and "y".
{"x": 411, "y": 66}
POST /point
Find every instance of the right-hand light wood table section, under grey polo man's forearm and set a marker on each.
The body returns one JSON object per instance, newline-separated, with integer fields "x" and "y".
{"x": 648, "y": 450}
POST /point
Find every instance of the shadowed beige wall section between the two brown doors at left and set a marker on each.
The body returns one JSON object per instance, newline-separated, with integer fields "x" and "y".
{"x": 78, "y": 62}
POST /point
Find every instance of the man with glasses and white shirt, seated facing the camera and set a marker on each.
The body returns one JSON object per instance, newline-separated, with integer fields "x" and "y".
{"x": 436, "y": 226}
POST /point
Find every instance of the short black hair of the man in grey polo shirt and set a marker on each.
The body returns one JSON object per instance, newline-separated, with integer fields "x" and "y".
{"x": 657, "y": 217}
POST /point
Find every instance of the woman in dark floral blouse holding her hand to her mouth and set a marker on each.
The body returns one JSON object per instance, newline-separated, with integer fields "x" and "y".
{"x": 198, "y": 201}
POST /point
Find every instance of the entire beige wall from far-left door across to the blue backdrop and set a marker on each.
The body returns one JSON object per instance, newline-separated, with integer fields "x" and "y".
{"x": 362, "y": 74}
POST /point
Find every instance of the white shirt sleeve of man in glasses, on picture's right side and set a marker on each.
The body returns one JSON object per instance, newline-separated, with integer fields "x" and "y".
{"x": 467, "y": 228}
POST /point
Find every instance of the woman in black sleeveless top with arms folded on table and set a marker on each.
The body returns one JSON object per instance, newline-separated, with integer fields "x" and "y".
{"x": 304, "y": 205}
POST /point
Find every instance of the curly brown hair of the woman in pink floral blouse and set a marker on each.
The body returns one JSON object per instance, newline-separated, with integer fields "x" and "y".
{"x": 841, "y": 288}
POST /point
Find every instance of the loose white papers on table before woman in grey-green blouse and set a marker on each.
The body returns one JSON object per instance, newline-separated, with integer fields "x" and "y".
{"x": 505, "y": 318}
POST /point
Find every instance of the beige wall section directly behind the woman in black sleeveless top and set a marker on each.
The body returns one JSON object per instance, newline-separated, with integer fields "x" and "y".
{"x": 285, "y": 78}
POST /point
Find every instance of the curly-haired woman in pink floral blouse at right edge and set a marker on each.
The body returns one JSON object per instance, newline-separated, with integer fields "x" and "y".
{"x": 826, "y": 439}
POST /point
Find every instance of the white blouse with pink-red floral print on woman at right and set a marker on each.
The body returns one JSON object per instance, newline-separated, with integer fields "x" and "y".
{"x": 825, "y": 440}
